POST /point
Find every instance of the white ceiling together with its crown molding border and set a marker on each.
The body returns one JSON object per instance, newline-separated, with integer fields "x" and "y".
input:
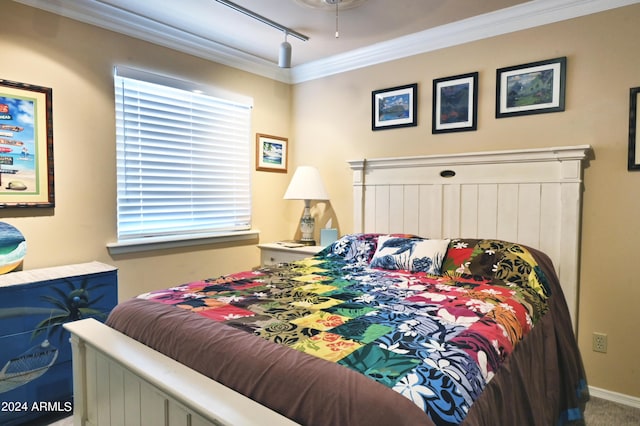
{"x": 370, "y": 31}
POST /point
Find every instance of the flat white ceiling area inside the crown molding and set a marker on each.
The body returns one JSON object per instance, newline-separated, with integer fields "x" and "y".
{"x": 369, "y": 22}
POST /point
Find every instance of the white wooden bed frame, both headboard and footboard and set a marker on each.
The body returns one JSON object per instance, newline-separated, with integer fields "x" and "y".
{"x": 527, "y": 196}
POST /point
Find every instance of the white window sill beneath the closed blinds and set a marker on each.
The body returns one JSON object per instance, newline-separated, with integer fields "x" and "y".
{"x": 162, "y": 243}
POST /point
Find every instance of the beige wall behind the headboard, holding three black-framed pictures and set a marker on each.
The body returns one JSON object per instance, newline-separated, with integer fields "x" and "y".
{"x": 332, "y": 124}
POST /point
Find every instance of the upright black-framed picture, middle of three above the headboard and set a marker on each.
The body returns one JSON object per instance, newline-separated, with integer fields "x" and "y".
{"x": 455, "y": 103}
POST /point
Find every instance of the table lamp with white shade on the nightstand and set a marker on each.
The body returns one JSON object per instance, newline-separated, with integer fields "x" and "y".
{"x": 306, "y": 185}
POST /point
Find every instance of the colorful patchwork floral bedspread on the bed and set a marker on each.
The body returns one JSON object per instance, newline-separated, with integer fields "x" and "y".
{"x": 436, "y": 339}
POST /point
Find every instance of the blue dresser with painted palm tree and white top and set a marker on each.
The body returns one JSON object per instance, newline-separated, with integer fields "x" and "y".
{"x": 35, "y": 354}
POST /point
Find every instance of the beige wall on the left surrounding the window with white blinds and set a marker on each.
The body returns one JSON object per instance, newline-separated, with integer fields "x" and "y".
{"x": 76, "y": 61}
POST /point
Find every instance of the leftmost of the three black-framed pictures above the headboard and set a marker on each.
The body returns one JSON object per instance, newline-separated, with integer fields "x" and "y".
{"x": 394, "y": 107}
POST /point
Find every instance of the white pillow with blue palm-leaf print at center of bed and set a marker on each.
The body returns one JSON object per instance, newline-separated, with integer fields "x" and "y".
{"x": 411, "y": 254}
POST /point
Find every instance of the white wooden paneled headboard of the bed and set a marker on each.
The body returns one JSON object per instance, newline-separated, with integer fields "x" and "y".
{"x": 531, "y": 196}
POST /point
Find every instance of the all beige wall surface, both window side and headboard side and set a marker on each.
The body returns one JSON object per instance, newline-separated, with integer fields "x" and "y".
{"x": 328, "y": 122}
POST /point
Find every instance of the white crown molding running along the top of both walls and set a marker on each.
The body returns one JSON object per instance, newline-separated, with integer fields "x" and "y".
{"x": 526, "y": 15}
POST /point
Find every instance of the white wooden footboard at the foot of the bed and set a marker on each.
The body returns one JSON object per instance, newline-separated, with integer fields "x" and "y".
{"x": 119, "y": 381}
